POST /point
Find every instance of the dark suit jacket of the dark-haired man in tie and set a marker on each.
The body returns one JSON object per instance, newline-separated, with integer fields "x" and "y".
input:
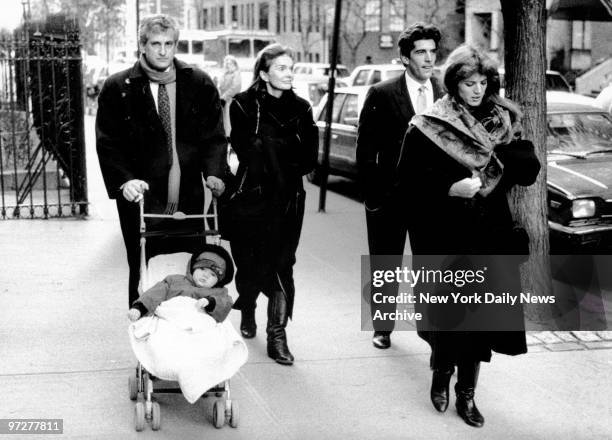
{"x": 382, "y": 124}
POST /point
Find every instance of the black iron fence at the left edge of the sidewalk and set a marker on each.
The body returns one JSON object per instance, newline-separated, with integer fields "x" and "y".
{"x": 42, "y": 141}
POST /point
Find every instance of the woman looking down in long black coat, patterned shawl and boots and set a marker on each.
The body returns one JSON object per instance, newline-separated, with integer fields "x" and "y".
{"x": 461, "y": 158}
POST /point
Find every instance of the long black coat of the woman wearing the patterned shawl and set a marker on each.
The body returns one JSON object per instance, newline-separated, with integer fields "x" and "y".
{"x": 443, "y": 225}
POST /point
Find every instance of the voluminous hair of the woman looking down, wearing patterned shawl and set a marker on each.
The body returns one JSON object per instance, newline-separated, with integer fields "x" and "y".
{"x": 465, "y": 61}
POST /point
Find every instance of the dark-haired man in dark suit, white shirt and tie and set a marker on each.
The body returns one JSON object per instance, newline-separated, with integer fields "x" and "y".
{"x": 388, "y": 108}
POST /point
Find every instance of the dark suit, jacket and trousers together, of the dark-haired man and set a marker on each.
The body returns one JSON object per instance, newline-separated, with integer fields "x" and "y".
{"x": 382, "y": 124}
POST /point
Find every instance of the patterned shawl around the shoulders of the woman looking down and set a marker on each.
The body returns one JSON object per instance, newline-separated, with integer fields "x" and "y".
{"x": 451, "y": 126}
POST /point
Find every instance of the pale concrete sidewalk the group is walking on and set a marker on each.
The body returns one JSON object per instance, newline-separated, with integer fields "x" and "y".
{"x": 65, "y": 351}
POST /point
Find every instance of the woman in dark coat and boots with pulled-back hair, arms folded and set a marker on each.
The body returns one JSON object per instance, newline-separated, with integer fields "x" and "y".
{"x": 276, "y": 140}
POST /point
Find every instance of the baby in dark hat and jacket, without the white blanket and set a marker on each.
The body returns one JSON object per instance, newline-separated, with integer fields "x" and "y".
{"x": 209, "y": 270}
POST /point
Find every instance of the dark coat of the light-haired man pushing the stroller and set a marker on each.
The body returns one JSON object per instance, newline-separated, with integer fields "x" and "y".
{"x": 131, "y": 140}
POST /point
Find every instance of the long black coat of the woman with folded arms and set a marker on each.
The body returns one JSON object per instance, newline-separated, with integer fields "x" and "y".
{"x": 276, "y": 141}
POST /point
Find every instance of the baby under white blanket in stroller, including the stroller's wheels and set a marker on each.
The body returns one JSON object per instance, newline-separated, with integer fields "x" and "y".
{"x": 179, "y": 332}
